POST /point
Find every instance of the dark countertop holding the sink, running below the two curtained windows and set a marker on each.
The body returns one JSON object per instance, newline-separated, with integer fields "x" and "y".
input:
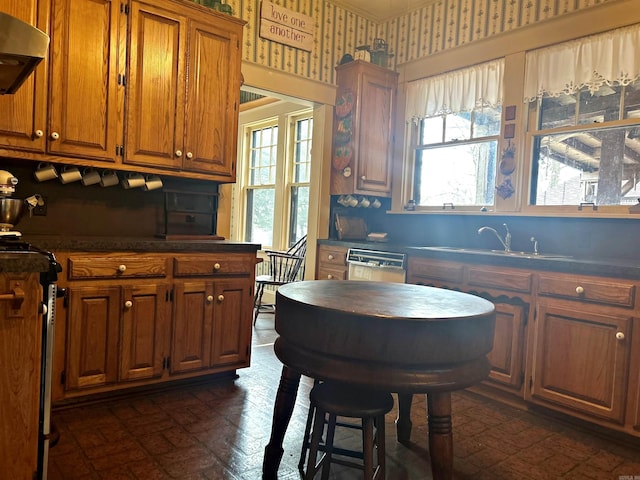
{"x": 613, "y": 267}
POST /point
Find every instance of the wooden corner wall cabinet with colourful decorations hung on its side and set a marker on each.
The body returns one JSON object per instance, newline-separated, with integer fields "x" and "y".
{"x": 363, "y": 137}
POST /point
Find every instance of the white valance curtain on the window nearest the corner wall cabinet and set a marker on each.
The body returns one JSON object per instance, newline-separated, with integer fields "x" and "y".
{"x": 460, "y": 91}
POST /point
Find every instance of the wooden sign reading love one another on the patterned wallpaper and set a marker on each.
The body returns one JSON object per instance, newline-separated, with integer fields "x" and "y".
{"x": 286, "y": 26}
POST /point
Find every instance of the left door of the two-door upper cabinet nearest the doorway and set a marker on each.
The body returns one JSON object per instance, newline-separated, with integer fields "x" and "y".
{"x": 155, "y": 86}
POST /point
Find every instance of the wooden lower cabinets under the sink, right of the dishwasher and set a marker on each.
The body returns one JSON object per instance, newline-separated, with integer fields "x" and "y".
{"x": 563, "y": 341}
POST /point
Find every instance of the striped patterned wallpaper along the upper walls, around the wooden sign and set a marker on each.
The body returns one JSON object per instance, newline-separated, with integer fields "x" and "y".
{"x": 440, "y": 26}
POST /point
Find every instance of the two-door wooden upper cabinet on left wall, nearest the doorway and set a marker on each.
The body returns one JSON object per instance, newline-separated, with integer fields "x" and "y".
{"x": 183, "y": 90}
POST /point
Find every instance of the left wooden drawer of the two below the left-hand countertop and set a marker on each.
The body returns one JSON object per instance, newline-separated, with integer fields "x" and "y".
{"x": 105, "y": 266}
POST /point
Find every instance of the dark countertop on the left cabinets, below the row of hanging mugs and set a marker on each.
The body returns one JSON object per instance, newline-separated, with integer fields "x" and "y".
{"x": 130, "y": 244}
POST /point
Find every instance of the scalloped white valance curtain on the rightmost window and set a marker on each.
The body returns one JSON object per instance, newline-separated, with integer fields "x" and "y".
{"x": 610, "y": 58}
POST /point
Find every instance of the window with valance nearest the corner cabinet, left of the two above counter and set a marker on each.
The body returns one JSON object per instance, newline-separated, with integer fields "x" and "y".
{"x": 458, "y": 120}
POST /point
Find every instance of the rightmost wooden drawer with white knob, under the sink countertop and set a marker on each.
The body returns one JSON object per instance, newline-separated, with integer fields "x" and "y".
{"x": 597, "y": 290}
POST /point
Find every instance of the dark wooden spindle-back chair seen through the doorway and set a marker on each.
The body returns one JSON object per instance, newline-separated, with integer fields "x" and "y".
{"x": 284, "y": 267}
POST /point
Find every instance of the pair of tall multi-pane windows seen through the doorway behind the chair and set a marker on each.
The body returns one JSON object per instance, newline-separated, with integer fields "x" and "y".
{"x": 278, "y": 167}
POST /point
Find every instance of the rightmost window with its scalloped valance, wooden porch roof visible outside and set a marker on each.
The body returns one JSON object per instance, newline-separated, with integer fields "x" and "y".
{"x": 584, "y": 122}
